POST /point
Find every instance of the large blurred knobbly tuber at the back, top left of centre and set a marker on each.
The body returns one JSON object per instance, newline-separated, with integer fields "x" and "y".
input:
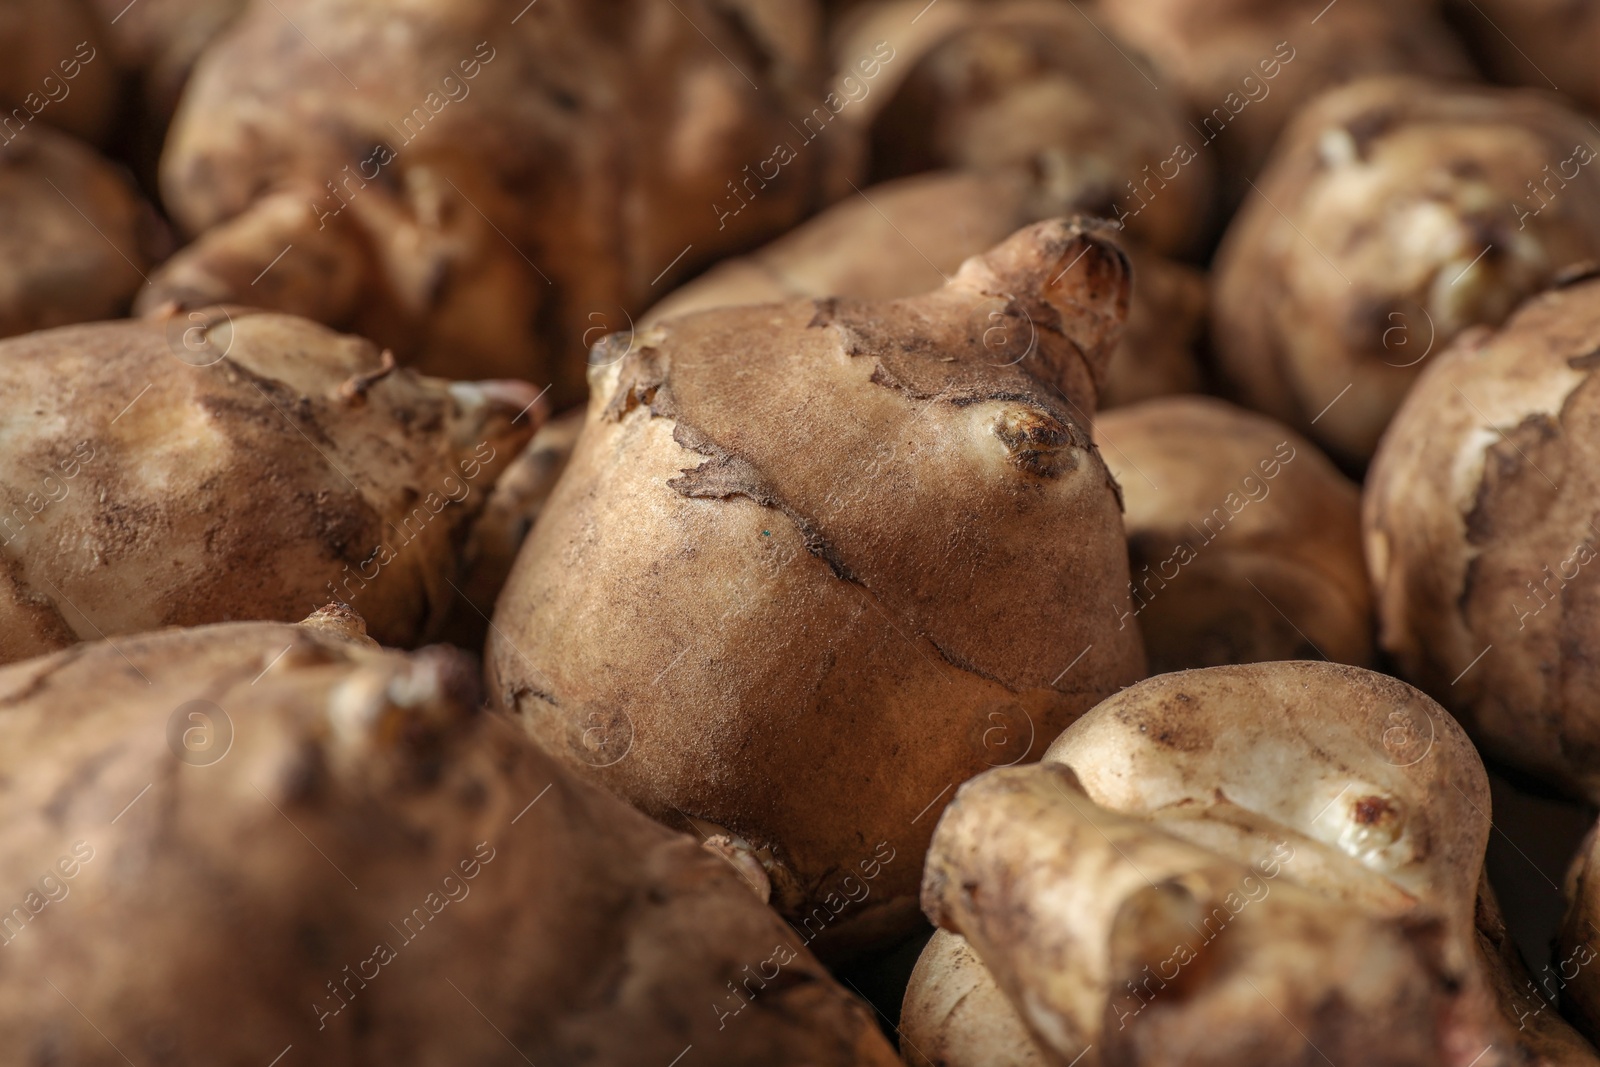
{"x": 495, "y": 196}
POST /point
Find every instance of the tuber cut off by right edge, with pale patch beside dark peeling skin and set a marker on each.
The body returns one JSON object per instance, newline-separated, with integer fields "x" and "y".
{"x": 1481, "y": 532}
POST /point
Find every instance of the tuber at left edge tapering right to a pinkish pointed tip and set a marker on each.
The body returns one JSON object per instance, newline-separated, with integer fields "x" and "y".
{"x": 172, "y": 474}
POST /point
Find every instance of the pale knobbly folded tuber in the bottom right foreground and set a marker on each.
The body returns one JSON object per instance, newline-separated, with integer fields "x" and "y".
{"x": 1246, "y": 866}
